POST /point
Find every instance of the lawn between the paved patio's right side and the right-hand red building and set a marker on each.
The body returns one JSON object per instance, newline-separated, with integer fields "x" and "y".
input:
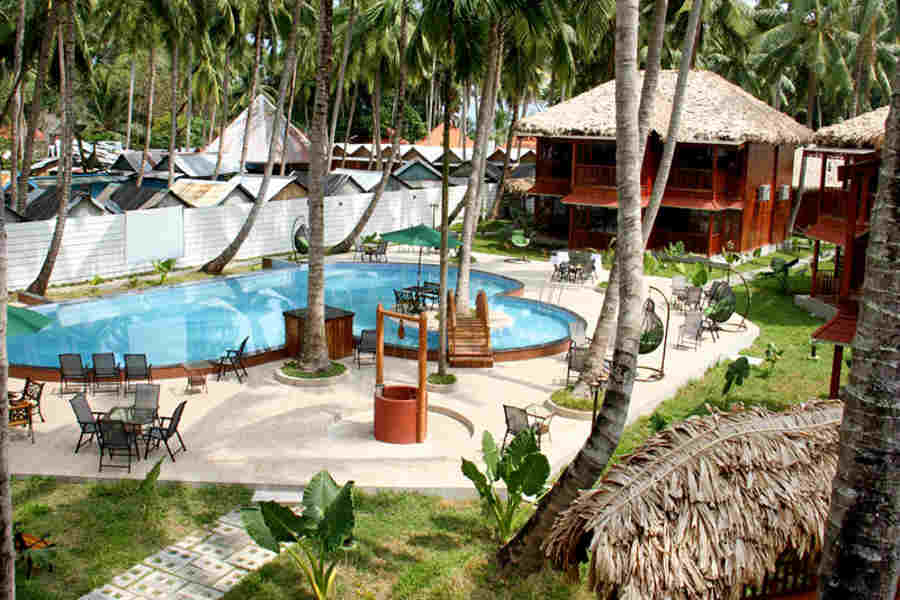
{"x": 796, "y": 378}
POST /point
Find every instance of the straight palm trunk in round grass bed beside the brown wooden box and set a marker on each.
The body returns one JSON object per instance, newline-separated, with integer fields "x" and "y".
{"x": 315, "y": 350}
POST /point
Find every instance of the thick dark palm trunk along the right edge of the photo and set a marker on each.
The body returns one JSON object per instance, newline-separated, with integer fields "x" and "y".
{"x": 861, "y": 555}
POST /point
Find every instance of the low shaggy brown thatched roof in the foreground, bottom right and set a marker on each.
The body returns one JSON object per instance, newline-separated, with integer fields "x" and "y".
{"x": 706, "y": 506}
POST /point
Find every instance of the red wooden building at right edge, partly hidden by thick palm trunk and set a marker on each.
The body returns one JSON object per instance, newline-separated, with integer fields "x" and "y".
{"x": 843, "y": 220}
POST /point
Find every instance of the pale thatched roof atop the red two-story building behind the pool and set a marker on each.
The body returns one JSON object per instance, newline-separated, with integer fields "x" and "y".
{"x": 714, "y": 110}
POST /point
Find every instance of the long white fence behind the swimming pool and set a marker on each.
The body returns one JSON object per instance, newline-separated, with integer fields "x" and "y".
{"x": 97, "y": 246}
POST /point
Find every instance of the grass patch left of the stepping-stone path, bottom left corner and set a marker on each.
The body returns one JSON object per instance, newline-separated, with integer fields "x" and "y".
{"x": 102, "y": 529}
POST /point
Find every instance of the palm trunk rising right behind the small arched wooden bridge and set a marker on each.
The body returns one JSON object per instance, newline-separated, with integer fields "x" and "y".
{"x": 470, "y": 200}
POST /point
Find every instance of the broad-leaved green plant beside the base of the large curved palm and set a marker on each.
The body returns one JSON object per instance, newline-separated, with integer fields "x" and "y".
{"x": 520, "y": 465}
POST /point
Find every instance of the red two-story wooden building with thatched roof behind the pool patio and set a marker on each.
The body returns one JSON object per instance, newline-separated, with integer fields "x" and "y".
{"x": 730, "y": 178}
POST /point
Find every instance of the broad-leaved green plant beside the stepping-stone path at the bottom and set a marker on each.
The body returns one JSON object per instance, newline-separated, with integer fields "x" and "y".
{"x": 313, "y": 538}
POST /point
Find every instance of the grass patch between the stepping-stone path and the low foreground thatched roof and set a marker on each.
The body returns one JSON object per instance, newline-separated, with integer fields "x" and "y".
{"x": 411, "y": 546}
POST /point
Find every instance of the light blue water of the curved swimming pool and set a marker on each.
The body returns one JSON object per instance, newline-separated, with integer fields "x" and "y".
{"x": 198, "y": 321}
